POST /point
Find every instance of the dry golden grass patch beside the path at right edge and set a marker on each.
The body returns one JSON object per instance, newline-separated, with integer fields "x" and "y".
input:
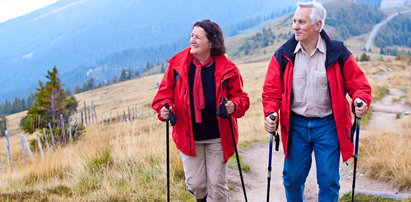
{"x": 386, "y": 157}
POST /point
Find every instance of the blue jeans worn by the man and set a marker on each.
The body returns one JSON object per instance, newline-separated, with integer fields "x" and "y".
{"x": 308, "y": 135}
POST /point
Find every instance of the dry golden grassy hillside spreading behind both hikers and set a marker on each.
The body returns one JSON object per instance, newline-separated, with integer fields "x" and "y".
{"x": 126, "y": 161}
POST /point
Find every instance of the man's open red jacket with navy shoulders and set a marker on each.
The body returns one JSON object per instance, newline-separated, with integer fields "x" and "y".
{"x": 343, "y": 75}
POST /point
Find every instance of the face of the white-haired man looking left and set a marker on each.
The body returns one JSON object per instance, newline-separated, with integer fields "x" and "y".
{"x": 304, "y": 29}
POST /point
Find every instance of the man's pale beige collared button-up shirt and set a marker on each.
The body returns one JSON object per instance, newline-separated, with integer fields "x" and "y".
{"x": 311, "y": 96}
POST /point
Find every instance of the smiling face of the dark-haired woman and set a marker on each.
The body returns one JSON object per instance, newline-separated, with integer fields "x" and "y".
{"x": 200, "y": 45}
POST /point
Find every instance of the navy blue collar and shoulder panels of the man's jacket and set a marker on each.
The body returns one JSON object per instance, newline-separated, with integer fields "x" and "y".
{"x": 334, "y": 49}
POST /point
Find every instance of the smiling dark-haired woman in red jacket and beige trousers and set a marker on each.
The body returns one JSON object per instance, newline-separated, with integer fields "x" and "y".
{"x": 194, "y": 84}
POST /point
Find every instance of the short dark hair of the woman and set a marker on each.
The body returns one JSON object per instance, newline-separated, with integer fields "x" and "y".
{"x": 214, "y": 35}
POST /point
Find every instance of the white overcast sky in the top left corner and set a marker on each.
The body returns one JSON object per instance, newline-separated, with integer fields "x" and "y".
{"x": 13, "y": 8}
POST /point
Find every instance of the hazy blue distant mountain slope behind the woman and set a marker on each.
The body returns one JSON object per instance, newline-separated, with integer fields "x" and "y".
{"x": 76, "y": 35}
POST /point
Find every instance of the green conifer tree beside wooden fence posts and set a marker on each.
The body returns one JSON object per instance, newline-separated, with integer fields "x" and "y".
{"x": 50, "y": 101}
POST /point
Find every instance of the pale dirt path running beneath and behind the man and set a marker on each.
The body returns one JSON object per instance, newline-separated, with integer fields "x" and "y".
{"x": 383, "y": 119}
